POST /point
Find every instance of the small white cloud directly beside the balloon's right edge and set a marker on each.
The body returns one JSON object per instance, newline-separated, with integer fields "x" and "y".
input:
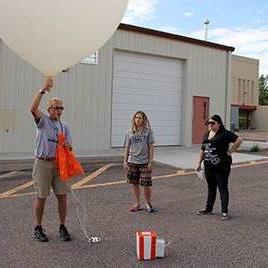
{"x": 139, "y": 11}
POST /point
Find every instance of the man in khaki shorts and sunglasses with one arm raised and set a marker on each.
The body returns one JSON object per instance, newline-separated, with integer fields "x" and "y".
{"x": 45, "y": 169}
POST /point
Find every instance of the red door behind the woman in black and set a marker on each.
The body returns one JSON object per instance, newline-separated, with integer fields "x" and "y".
{"x": 200, "y": 115}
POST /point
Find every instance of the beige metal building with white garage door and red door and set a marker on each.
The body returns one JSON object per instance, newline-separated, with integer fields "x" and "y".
{"x": 178, "y": 81}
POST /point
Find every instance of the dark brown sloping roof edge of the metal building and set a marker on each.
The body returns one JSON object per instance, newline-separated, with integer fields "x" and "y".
{"x": 138, "y": 29}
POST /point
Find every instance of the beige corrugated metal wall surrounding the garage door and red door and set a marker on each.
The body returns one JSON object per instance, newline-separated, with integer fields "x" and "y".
{"x": 87, "y": 90}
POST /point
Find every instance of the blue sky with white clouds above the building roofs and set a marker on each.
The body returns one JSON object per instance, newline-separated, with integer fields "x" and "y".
{"x": 237, "y": 23}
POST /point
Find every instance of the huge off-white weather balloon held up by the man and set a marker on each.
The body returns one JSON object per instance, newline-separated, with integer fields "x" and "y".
{"x": 55, "y": 34}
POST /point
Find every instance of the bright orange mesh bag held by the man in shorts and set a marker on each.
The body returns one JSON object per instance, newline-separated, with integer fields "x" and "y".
{"x": 67, "y": 163}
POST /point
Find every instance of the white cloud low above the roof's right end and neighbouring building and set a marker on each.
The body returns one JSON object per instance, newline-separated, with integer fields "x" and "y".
{"x": 247, "y": 42}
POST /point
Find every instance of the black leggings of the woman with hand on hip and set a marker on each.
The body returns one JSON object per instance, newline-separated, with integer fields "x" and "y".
{"x": 217, "y": 177}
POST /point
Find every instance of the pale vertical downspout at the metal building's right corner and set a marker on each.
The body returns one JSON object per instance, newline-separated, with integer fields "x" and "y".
{"x": 227, "y": 90}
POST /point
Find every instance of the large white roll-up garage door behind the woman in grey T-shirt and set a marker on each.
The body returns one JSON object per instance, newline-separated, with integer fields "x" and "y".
{"x": 151, "y": 84}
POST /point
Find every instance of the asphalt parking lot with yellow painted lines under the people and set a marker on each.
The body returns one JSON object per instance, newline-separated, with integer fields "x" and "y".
{"x": 195, "y": 241}
